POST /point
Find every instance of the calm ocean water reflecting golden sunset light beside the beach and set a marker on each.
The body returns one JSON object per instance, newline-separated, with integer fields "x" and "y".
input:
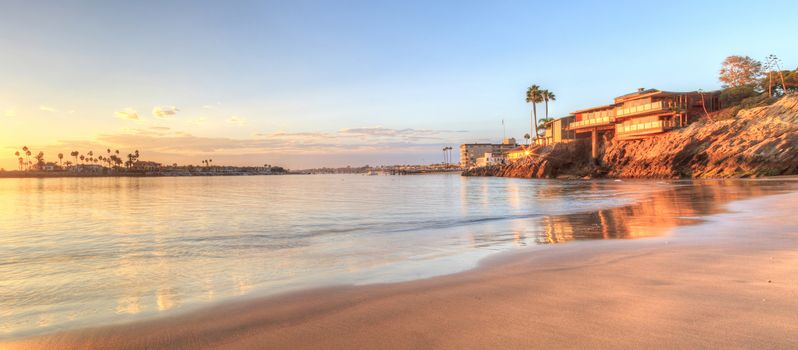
{"x": 78, "y": 252}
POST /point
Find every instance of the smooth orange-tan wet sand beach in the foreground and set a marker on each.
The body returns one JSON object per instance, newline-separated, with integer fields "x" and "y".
{"x": 730, "y": 282}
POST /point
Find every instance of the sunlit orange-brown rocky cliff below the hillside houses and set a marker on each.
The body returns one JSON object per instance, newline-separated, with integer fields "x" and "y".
{"x": 761, "y": 141}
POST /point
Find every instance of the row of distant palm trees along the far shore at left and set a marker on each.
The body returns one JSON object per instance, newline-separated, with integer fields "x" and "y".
{"x": 109, "y": 160}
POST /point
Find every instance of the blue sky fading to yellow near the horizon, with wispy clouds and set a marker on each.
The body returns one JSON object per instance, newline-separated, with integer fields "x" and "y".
{"x": 334, "y": 83}
